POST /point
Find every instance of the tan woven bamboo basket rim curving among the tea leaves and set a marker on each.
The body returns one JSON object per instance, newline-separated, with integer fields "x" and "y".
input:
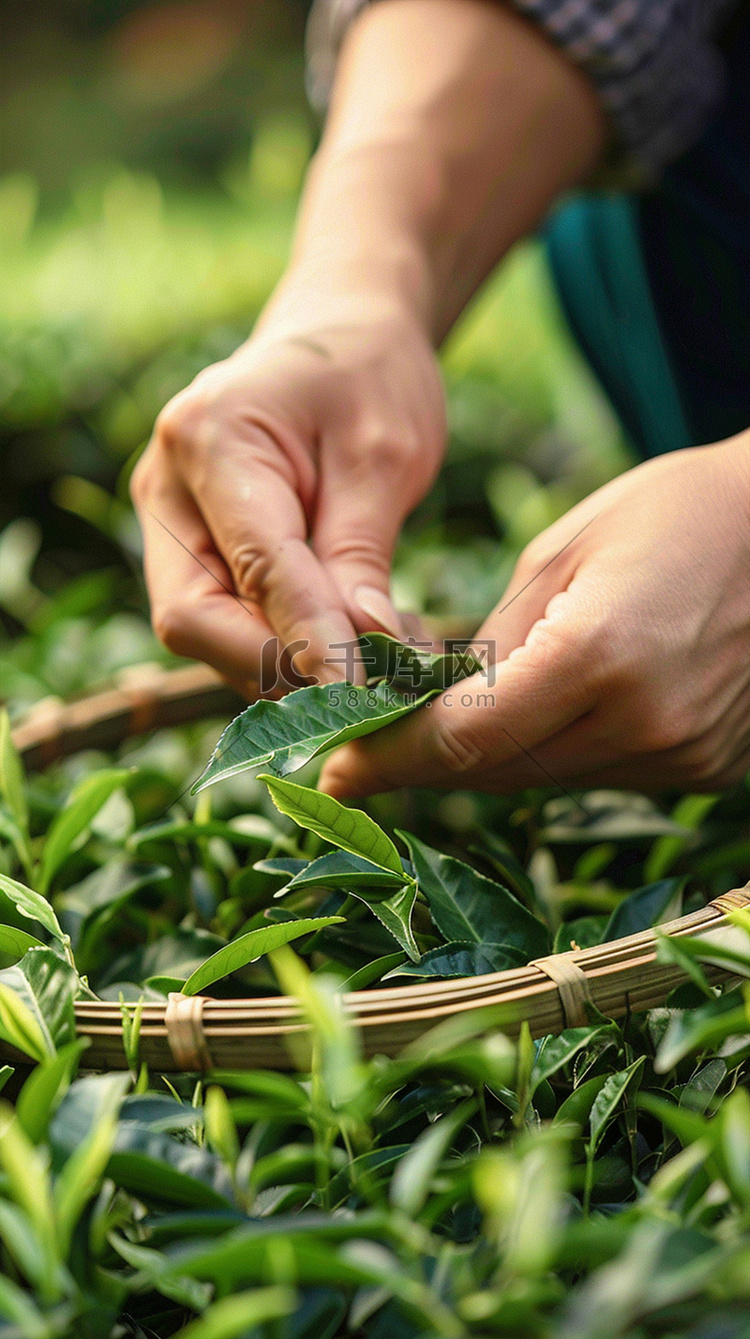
{"x": 195, "y": 1034}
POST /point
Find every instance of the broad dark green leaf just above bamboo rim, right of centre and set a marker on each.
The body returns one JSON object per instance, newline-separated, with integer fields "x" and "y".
{"x": 469, "y": 909}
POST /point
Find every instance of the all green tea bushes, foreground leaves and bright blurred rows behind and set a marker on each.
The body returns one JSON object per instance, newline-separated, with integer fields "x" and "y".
{"x": 583, "y": 1187}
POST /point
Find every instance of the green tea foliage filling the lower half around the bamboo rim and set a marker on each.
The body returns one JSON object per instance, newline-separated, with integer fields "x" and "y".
{"x": 594, "y": 1184}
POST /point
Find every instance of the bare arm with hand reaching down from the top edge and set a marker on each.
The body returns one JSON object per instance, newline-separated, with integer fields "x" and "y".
{"x": 274, "y": 491}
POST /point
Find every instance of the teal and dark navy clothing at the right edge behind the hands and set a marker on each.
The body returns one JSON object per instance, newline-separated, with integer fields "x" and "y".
{"x": 657, "y": 287}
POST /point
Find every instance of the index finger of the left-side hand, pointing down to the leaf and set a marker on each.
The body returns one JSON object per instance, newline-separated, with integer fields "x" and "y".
{"x": 250, "y": 501}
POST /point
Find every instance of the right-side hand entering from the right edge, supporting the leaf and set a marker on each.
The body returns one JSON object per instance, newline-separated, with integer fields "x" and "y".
{"x": 622, "y": 645}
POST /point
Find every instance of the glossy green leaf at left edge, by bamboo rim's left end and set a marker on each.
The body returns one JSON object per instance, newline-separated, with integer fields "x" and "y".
{"x": 37, "y": 997}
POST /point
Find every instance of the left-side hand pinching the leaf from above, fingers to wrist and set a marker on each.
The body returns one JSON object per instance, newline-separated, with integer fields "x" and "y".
{"x": 275, "y": 487}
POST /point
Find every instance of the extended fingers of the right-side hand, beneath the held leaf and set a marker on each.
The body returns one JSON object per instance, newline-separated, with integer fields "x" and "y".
{"x": 475, "y": 730}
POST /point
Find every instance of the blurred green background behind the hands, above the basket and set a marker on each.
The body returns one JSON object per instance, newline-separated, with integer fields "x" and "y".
{"x": 151, "y": 161}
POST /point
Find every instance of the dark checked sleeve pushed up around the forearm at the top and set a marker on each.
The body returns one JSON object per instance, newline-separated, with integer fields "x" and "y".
{"x": 656, "y": 65}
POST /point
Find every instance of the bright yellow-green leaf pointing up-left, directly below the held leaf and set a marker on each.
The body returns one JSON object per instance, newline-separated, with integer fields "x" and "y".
{"x": 348, "y": 828}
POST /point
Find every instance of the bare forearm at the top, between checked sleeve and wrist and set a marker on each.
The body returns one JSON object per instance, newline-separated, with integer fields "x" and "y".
{"x": 453, "y": 127}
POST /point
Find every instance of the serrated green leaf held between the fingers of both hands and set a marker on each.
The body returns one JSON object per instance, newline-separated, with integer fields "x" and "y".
{"x": 285, "y": 736}
